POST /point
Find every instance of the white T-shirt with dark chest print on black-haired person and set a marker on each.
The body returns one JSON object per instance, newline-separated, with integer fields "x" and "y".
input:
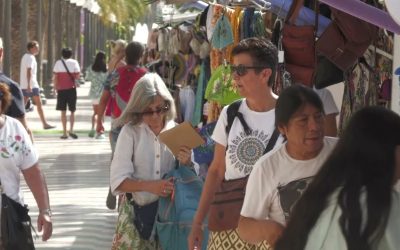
{"x": 278, "y": 181}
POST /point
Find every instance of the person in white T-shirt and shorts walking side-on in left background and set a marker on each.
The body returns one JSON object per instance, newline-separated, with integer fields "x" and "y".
{"x": 28, "y": 80}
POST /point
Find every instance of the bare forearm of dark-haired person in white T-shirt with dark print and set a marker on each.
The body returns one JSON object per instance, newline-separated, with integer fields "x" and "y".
{"x": 255, "y": 231}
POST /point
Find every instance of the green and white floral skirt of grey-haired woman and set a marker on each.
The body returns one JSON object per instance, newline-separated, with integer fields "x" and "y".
{"x": 126, "y": 236}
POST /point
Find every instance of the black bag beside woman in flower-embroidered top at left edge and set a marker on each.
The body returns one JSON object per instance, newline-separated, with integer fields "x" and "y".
{"x": 16, "y": 225}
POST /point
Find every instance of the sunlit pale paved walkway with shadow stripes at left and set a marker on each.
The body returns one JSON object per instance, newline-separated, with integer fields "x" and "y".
{"x": 77, "y": 174}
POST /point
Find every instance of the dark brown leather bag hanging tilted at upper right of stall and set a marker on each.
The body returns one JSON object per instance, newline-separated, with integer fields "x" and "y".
{"x": 346, "y": 39}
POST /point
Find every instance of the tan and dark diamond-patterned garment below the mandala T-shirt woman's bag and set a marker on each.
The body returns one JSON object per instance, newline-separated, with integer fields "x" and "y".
{"x": 229, "y": 240}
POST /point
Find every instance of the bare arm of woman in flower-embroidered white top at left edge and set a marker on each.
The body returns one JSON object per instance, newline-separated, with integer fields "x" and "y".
{"x": 37, "y": 184}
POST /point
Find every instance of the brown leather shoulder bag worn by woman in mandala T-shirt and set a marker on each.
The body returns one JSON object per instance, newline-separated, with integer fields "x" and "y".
{"x": 225, "y": 209}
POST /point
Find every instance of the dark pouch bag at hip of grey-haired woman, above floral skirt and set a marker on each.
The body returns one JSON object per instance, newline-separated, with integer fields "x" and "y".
{"x": 145, "y": 217}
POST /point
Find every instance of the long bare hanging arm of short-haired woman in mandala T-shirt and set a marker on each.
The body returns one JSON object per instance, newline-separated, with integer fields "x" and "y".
{"x": 215, "y": 175}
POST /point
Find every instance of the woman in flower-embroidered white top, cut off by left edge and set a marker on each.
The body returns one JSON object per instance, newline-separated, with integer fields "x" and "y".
{"x": 17, "y": 156}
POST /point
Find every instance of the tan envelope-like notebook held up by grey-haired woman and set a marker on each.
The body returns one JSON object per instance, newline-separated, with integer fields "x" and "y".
{"x": 181, "y": 135}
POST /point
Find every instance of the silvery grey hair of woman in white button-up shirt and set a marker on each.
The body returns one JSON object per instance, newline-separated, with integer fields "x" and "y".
{"x": 143, "y": 95}
